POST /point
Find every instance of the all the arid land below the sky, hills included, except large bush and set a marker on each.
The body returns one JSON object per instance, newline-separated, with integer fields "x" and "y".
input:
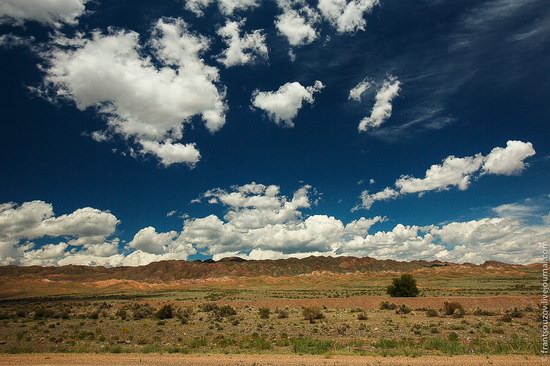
{"x": 328, "y": 315}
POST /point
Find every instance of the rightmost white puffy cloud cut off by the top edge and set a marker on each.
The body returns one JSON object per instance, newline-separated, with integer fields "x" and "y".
{"x": 347, "y": 15}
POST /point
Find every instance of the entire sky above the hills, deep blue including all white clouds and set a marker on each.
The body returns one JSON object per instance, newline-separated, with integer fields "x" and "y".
{"x": 112, "y": 121}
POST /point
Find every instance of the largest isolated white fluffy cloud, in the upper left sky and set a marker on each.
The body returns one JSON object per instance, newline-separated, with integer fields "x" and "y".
{"x": 144, "y": 103}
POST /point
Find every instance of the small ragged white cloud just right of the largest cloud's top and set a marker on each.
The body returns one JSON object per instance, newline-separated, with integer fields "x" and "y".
{"x": 243, "y": 49}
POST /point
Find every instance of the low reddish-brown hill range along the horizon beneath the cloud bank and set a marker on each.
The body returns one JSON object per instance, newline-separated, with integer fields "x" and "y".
{"x": 167, "y": 271}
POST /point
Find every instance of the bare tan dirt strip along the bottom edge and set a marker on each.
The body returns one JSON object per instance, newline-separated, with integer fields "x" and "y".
{"x": 259, "y": 360}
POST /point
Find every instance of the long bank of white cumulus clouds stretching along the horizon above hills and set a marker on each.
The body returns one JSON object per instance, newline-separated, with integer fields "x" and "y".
{"x": 260, "y": 223}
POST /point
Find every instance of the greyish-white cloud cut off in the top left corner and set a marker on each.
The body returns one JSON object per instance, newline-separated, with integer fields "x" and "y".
{"x": 49, "y": 12}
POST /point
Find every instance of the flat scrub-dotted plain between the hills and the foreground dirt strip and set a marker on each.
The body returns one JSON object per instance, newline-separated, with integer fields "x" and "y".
{"x": 342, "y": 320}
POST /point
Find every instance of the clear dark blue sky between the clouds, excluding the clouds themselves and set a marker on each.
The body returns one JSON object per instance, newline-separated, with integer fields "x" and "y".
{"x": 470, "y": 83}
